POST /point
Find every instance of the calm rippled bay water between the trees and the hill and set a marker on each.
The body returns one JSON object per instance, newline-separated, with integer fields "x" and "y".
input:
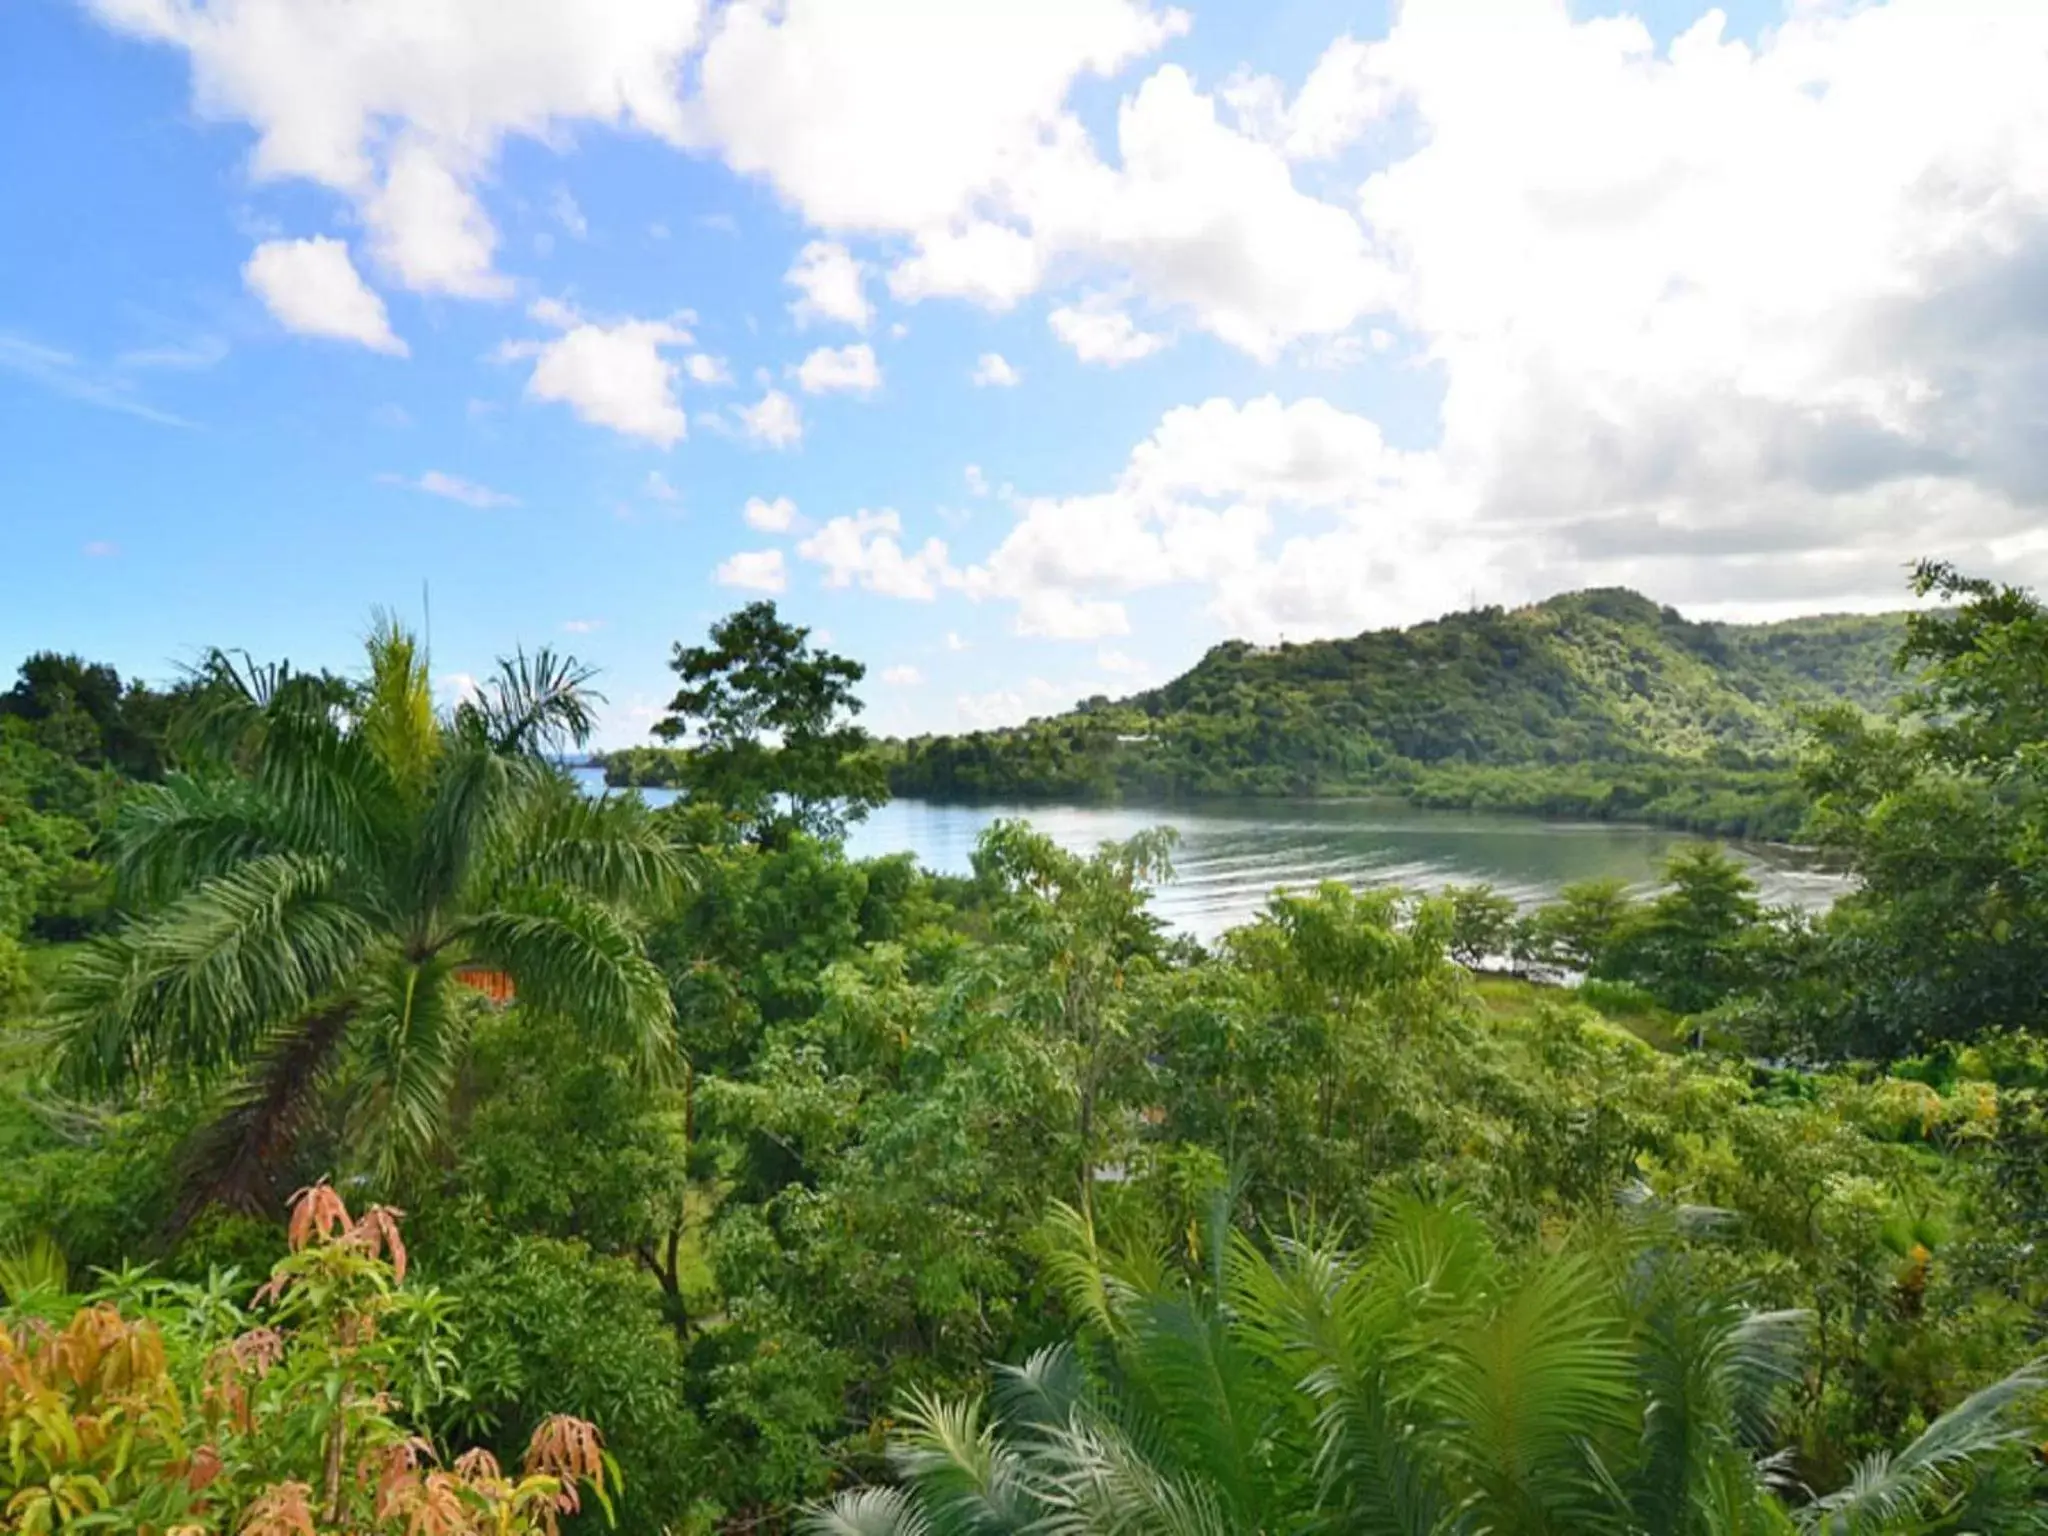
{"x": 1236, "y": 853}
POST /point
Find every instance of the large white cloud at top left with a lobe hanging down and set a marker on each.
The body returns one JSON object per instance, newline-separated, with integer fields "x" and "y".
{"x": 400, "y": 105}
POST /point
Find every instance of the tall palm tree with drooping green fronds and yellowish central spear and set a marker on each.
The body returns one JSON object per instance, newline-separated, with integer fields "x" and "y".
{"x": 310, "y": 894}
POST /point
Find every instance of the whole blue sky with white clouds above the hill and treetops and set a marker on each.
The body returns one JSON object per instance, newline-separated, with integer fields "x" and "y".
{"x": 1023, "y": 349}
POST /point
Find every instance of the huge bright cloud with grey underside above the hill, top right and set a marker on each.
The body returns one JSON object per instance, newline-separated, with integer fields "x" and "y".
{"x": 1730, "y": 316}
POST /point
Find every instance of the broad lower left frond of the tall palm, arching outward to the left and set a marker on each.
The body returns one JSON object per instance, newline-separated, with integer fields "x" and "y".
{"x": 204, "y": 982}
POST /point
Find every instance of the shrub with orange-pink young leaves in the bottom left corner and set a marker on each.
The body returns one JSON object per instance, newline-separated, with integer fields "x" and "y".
{"x": 163, "y": 1408}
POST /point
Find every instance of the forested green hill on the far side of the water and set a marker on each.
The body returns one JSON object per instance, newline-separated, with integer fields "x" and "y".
{"x": 1590, "y": 703}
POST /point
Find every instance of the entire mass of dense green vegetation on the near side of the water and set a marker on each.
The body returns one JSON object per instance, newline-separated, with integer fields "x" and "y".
{"x": 853, "y": 1199}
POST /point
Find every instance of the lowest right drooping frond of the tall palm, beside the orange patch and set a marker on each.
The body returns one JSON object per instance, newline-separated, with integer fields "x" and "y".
{"x": 574, "y": 957}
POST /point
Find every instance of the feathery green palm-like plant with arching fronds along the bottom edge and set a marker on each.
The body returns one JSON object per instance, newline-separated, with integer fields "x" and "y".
{"x": 1424, "y": 1388}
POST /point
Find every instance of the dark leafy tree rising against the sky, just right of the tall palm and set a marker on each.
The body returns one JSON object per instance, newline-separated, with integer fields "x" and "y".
{"x": 769, "y": 726}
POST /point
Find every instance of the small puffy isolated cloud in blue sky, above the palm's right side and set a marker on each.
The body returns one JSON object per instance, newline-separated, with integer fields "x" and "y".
{"x": 609, "y": 374}
